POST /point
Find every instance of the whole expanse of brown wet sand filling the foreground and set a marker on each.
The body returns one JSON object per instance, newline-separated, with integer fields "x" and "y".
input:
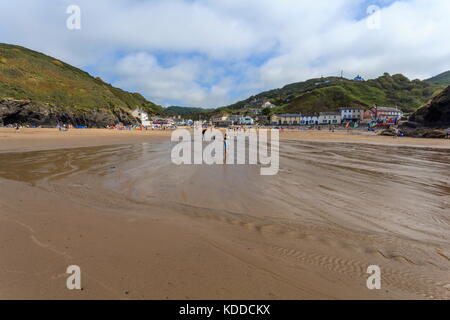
{"x": 142, "y": 228}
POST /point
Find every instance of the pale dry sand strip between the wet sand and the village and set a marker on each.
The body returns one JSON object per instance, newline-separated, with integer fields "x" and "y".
{"x": 47, "y": 139}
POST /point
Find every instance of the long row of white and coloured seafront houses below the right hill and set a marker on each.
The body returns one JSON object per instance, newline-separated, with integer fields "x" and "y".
{"x": 344, "y": 115}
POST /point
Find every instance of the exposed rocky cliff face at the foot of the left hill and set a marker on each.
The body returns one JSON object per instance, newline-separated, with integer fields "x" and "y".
{"x": 34, "y": 114}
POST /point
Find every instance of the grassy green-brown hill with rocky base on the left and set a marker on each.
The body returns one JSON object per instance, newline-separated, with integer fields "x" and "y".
{"x": 51, "y": 91}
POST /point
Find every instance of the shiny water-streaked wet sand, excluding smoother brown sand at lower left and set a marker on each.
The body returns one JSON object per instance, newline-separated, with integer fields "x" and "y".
{"x": 333, "y": 210}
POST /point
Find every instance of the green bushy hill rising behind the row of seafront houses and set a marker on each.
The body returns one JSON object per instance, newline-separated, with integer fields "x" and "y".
{"x": 332, "y": 93}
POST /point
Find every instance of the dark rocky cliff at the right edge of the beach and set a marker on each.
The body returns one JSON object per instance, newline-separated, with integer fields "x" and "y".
{"x": 436, "y": 113}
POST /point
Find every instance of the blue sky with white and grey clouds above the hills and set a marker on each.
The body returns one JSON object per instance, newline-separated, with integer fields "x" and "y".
{"x": 211, "y": 53}
